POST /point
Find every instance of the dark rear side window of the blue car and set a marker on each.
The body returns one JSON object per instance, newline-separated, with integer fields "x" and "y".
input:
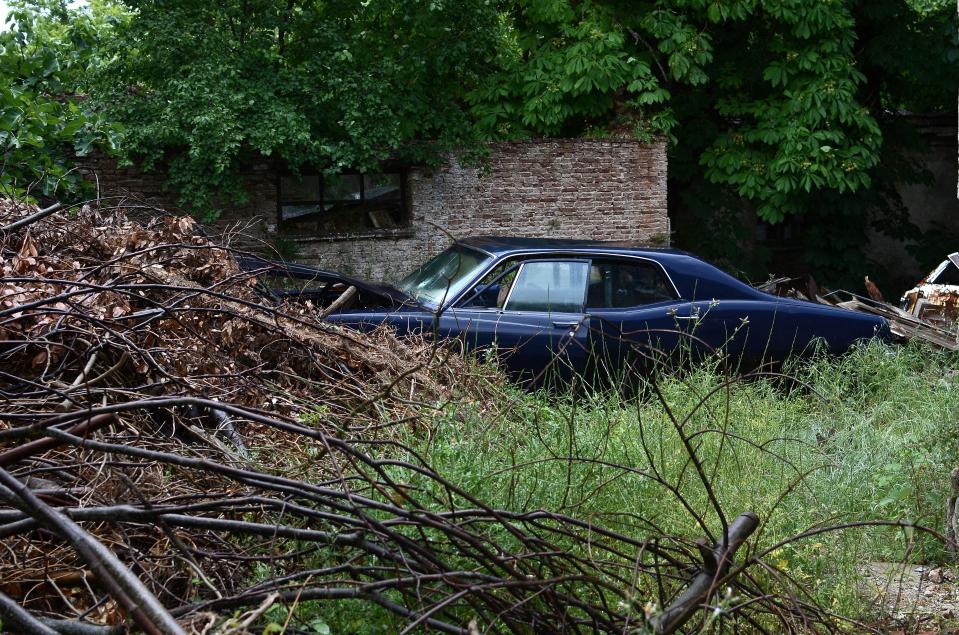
{"x": 617, "y": 284}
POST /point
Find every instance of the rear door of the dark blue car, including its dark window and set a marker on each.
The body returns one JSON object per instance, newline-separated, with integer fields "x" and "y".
{"x": 637, "y": 318}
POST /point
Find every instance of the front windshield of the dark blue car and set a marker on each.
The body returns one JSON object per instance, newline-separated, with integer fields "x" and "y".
{"x": 444, "y": 276}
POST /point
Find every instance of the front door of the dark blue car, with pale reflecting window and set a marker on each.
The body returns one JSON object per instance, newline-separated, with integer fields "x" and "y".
{"x": 531, "y": 313}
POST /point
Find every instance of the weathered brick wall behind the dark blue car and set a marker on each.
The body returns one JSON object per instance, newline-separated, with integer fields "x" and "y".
{"x": 559, "y": 188}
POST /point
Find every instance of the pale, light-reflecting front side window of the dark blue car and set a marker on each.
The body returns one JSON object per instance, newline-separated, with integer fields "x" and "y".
{"x": 549, "y": 286}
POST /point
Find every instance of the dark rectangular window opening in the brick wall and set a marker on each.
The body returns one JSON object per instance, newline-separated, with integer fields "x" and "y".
{"x": 347, "y": 203}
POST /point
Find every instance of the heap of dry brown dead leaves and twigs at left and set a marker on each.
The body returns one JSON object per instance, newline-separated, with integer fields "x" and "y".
{"x": 97, "y": 310}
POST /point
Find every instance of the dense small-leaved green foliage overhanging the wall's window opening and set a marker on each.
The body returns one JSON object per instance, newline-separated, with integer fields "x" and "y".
{"x": 204, "y": 88}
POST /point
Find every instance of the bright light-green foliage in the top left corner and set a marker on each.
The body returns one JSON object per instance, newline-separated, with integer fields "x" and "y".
{"x": 42, "y": 120}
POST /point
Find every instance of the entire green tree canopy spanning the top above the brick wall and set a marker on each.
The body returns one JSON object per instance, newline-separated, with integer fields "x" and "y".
{"x": 781, "y": 108}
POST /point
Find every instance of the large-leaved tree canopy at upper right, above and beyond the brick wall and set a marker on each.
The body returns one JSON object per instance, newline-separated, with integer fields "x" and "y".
{"x": 784, "y": 81}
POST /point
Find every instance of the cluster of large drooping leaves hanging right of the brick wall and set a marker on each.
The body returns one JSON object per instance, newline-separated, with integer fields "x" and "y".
{"x": 799, "y": 125}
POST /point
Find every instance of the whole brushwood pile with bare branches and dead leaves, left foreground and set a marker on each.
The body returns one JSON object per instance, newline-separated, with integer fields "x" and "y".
{"x": 180, "y": 454}
